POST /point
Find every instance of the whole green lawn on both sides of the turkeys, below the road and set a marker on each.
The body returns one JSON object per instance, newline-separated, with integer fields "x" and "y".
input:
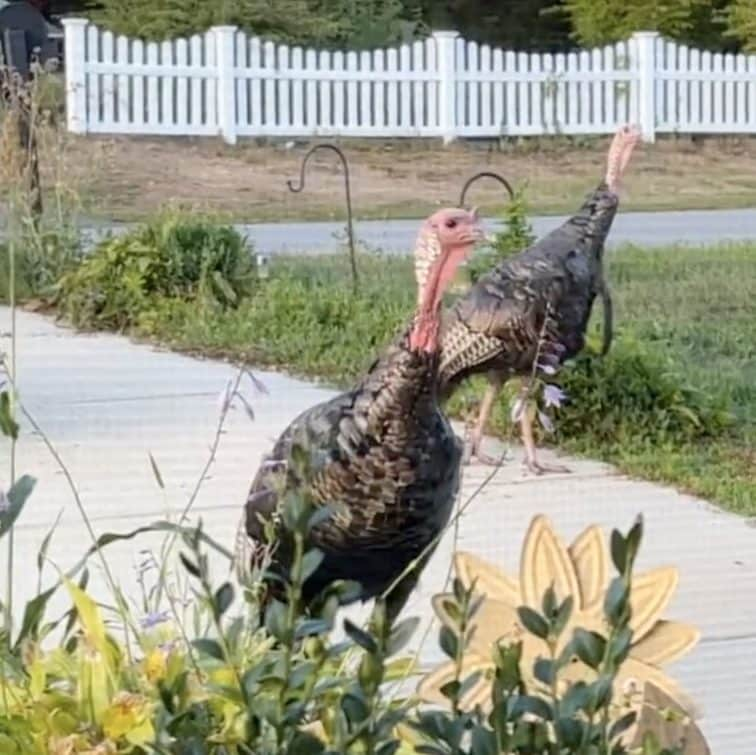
{"x": 675, "y": 401}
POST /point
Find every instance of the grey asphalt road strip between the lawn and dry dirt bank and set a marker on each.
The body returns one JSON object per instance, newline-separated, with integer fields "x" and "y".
{"x": 397, "y": 236}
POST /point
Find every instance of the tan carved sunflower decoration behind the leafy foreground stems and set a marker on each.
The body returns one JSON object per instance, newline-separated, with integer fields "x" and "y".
{"x": 582, "y": 571}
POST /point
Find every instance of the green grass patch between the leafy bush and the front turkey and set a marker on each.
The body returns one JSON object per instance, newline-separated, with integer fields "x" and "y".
{"x": 304, "y": 317}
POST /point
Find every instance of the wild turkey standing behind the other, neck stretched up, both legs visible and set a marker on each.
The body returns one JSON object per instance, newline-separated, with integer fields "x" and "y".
{"x": 544, "y": 294}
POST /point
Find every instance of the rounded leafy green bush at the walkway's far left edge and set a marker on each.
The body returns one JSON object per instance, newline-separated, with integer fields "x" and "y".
{"x": 178, "y": 257}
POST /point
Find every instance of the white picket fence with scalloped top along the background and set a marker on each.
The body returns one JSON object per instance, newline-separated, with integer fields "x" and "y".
{"x": 227, "y": 83}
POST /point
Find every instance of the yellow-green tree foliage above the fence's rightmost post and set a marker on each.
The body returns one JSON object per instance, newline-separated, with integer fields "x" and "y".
{"x": 600, "y": 22}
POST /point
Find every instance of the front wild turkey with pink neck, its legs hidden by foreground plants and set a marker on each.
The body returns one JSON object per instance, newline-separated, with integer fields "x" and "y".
{"x": 383, "y": 454}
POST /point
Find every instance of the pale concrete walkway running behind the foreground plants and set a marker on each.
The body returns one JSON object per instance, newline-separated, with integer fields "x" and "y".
{"x": 107, "y": 403}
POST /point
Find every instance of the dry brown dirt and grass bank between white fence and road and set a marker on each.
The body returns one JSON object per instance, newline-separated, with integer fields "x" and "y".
{"x": 125, "y": 178}
